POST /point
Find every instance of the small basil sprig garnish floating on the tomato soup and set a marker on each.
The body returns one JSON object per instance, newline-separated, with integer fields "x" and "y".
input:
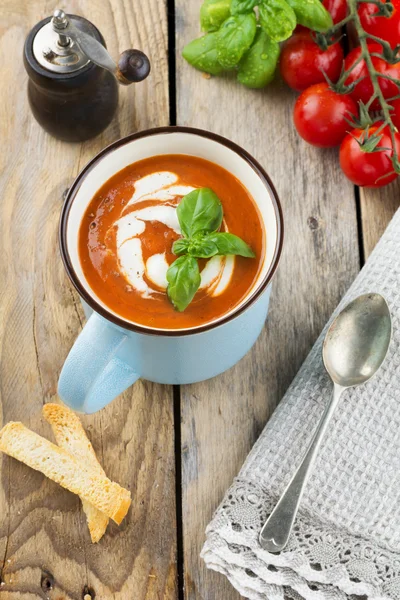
{"x": 200, "y": 216}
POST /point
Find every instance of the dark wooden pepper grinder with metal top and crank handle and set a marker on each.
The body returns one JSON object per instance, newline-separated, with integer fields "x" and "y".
{"x": 73, "y": 81}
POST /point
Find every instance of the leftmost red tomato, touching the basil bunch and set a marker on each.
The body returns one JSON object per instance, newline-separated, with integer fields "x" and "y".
{"x": 302, "y": 62}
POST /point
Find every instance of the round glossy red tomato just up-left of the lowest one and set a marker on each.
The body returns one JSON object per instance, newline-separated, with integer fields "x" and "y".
{"x": 319, "y": 115}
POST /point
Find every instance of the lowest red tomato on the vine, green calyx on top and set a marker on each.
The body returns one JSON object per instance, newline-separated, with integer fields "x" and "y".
{"x": 371, "y": 169}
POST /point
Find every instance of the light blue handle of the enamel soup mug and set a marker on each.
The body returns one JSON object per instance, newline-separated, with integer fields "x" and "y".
{"x": 93, "y": 373}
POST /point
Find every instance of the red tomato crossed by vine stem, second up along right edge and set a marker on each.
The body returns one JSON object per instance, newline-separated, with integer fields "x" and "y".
{"x": 364, "y": 88}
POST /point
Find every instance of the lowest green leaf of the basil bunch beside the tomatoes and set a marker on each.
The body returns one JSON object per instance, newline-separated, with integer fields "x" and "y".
{"x": 257, "y": 67}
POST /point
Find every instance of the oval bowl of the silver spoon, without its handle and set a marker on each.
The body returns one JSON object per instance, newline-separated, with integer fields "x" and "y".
{"x": 358, "y": 340}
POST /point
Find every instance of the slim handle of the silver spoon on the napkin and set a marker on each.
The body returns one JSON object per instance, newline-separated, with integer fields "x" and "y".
{"x": 276, "y": 531}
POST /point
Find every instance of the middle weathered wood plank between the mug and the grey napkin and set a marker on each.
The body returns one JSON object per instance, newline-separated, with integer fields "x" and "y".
{"x": 222, "y": 418}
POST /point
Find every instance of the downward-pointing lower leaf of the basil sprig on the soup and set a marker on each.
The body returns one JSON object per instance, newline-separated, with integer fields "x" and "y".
{"x": 184, "y": 279}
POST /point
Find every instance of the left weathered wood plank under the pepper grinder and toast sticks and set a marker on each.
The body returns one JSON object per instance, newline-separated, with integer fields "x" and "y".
{"x": 45, "y": 549}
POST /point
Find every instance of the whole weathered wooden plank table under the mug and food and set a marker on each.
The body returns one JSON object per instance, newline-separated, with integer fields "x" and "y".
{"x": 177, "y": 449}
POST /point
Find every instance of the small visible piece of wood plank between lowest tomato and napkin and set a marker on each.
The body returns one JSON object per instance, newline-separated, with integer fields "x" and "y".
{"x": 377, "y": 208}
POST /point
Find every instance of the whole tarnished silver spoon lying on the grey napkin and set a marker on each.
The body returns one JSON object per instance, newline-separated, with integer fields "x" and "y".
{"x": 355, "y": 346}
